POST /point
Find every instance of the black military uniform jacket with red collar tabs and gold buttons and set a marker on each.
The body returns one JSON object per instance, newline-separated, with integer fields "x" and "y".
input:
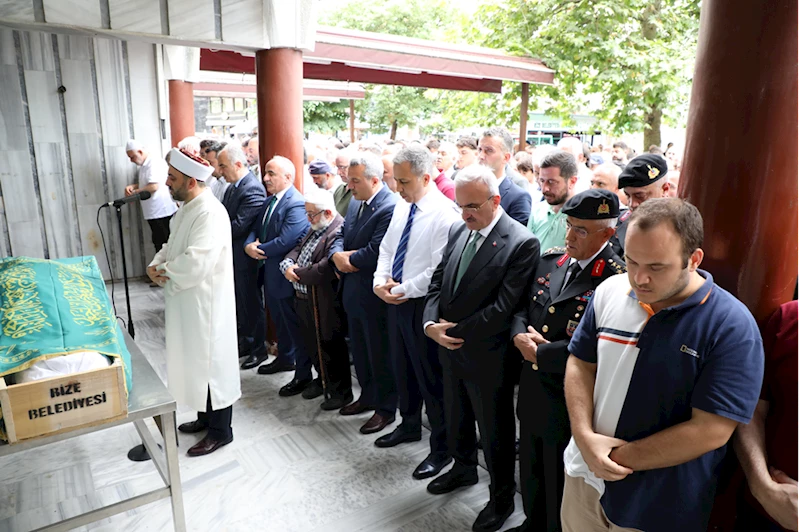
{"x": 555, "y": 315}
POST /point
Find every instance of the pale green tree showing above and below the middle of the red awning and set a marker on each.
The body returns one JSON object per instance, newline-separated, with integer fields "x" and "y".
{"x": 385, "y": 107}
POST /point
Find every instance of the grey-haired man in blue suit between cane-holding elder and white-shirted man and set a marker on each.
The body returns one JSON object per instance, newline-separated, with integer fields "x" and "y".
{"x": 354, "y": 254}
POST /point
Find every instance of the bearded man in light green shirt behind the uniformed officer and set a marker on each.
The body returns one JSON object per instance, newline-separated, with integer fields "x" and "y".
{"x": 557, "y": 178}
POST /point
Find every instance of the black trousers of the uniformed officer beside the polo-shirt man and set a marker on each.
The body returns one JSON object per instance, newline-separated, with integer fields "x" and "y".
{"x": 541, "y": 474}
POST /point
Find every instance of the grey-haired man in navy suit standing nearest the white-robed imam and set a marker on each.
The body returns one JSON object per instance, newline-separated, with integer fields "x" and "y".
{"x": 243, "y": 200}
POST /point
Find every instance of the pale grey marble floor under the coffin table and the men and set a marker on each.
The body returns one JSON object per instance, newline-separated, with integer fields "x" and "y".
{"x": 291, "y": 467}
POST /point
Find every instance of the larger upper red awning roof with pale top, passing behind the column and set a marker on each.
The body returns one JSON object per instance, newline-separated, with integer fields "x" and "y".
{"x": 365, "y": 57}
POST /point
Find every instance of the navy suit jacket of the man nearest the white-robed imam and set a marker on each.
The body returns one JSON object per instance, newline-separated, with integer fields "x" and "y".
{"x": 243, "y": 203}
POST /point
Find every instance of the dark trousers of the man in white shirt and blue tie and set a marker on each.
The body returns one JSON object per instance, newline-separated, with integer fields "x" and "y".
{"x": 417, "y": 372}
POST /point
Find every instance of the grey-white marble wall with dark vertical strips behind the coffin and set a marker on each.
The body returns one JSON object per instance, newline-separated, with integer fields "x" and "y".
{"x": 75, "y": 142}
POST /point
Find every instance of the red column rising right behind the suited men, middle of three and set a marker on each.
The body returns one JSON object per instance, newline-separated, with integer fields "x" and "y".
{"x": 278, "y": 74}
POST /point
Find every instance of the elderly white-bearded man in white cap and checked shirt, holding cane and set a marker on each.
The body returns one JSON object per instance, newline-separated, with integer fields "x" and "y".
{"x": 308, "y": 269}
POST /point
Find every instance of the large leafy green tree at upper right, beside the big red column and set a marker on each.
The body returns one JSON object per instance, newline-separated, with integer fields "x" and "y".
{"x": 627, "y": 62}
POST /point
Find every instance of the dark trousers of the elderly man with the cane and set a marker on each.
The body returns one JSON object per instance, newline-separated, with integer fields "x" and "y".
{"x": 334, "y": 350}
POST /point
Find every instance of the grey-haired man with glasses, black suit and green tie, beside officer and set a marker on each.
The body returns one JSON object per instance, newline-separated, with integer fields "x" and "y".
{"x": 476, "y": 289}
